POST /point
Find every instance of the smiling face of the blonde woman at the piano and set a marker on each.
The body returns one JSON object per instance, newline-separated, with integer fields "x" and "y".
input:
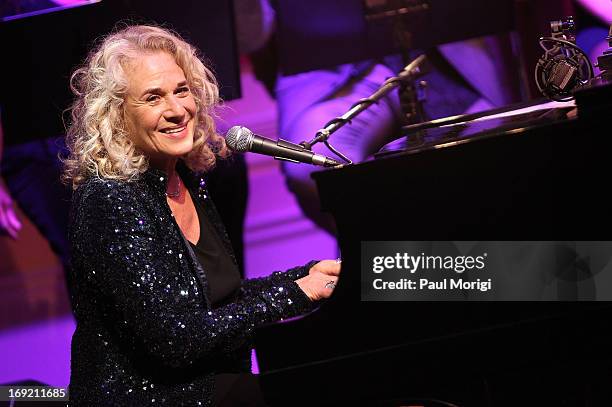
{"x": 160, "y": 109}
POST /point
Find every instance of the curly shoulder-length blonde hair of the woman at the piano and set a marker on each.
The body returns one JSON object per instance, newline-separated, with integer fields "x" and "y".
{"x": 97, "y": 137}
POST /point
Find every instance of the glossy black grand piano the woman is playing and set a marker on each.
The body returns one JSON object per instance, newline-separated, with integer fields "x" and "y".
{"x": 541, "y": 176}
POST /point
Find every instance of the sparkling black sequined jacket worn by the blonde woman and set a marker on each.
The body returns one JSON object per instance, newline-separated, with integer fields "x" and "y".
{"x": 146, "y": 333}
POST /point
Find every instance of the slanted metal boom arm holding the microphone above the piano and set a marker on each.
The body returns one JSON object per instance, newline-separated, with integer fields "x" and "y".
{"x": 410, "y": 72}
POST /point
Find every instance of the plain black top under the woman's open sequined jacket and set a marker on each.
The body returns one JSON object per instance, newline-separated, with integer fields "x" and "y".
{"x": 221, "y": 271}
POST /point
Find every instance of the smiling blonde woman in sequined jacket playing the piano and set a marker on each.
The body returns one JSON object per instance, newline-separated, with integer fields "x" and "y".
{"x": 159, "y": 304}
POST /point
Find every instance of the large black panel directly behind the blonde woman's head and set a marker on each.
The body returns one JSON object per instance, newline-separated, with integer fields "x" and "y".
{"x": 40, "y": 52}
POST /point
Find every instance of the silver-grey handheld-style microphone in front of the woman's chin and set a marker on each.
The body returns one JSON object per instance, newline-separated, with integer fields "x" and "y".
{"x": 241, "y": 139}
